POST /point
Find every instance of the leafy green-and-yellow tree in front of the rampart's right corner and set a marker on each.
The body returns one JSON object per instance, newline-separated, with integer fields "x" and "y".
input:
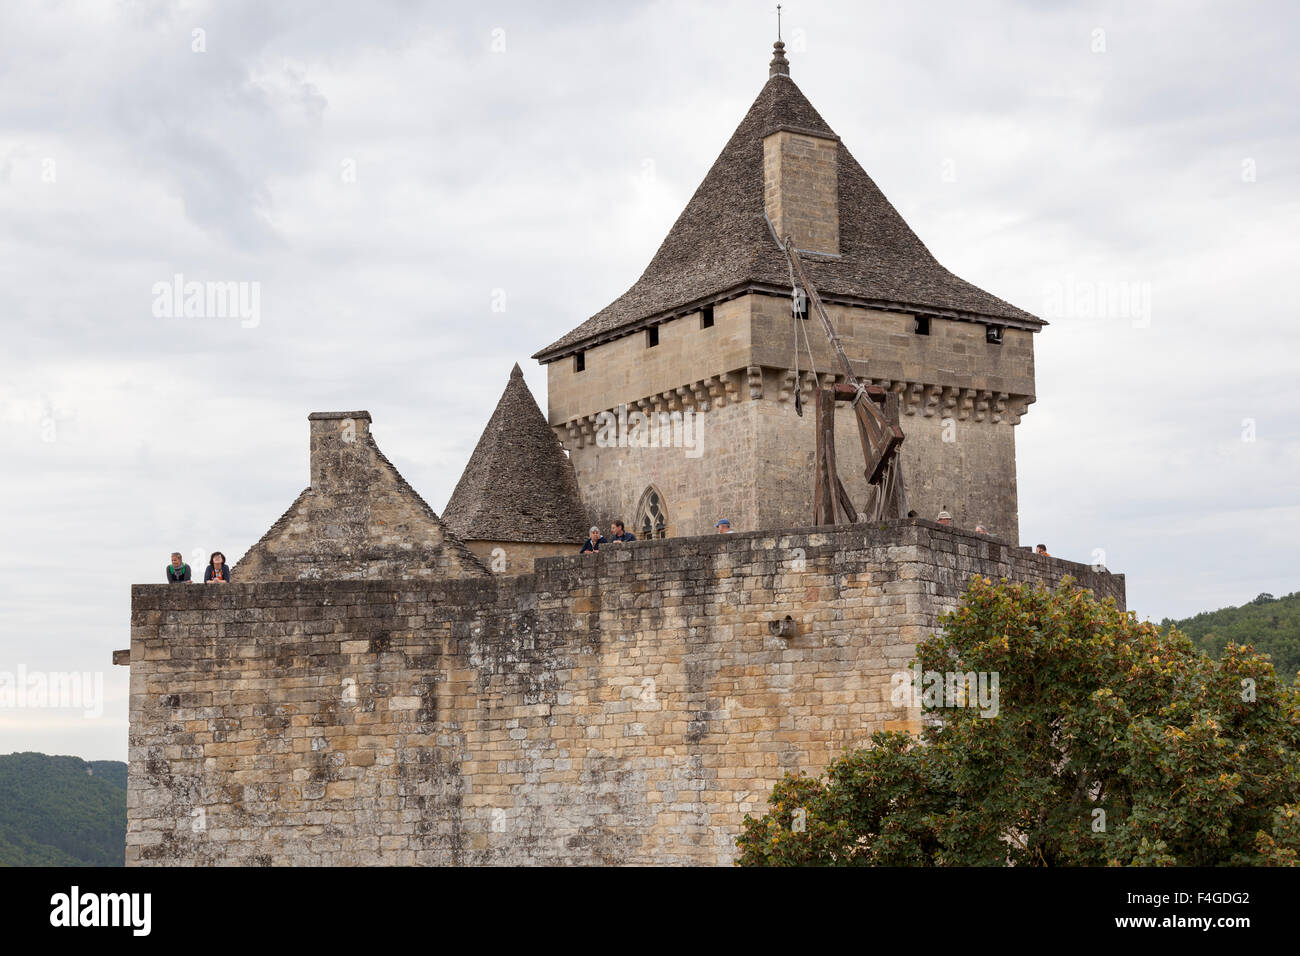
{"x": 1097, "y": 712}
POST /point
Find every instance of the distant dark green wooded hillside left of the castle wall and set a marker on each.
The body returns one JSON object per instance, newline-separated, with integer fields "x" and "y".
{"x": 55, "y": 814}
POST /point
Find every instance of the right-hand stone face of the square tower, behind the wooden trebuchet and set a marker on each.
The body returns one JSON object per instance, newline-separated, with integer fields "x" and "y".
{"x": 960, "y": 448}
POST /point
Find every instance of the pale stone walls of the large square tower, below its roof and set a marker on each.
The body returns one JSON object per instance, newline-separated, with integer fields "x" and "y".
{"x": 752, "y": 456}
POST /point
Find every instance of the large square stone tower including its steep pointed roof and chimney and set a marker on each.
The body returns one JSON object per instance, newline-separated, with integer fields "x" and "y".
{"x": 708, "y": 335}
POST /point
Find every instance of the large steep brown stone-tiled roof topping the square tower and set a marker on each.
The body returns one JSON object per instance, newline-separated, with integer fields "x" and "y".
{"x": 722, "y": 241}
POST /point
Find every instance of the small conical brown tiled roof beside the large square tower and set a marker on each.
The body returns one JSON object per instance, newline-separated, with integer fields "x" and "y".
{"x": 519, "y": 485}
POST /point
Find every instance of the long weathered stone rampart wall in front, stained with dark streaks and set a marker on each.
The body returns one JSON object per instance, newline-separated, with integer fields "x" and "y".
{"x": 622, "y": 708}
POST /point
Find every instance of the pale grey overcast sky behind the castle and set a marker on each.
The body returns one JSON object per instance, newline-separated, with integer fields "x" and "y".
{"x": 388, "y": 172}
